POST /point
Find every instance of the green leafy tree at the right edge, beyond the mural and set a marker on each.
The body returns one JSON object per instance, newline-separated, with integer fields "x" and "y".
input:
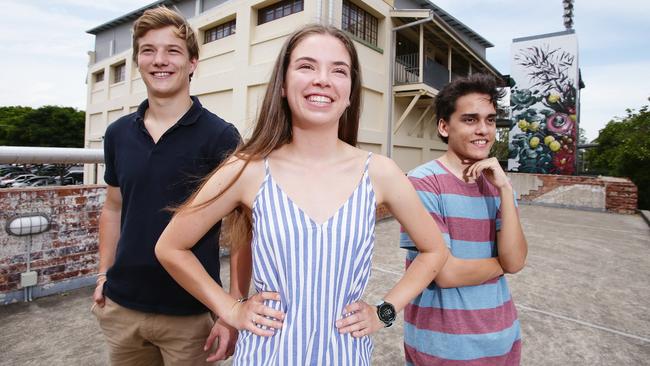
{"x": 624, "y": 151}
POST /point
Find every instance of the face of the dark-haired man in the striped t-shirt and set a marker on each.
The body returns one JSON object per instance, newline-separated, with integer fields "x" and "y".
{"x": 471, "y": 128}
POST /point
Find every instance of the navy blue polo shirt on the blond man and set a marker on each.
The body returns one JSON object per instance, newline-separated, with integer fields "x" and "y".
{"x": 153, "y": 177}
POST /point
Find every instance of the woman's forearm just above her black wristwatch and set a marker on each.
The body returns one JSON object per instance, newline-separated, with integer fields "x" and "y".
{"x": 420, "y": 273}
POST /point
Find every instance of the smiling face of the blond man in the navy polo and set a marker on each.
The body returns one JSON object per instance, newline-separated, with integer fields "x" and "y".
{"x": 164, "y": 63}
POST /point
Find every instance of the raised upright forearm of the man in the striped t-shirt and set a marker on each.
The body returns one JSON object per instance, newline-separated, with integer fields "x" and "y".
{"x": 511, "y": 242}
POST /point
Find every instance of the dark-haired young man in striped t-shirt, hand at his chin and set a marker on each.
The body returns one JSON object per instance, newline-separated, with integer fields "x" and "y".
{"x": 467, "y": 317}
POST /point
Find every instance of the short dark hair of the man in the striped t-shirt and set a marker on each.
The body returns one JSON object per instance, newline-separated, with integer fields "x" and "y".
{"x": 475, "y": 83}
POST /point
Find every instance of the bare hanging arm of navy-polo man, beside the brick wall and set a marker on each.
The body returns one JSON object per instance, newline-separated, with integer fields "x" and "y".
{"x": 109, "y": 234}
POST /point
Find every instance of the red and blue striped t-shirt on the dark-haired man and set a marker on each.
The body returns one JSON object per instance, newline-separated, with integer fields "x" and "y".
{"x": 472, "y": 325}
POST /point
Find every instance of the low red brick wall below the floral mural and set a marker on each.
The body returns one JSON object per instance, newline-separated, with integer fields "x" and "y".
{"x": 621, "y": 194}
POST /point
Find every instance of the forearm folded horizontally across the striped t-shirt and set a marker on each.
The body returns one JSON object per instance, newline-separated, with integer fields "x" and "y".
{"x": 468, "y": 272}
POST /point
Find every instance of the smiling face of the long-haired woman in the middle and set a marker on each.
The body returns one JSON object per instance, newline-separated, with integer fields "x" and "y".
{"x": 318, "y": 82}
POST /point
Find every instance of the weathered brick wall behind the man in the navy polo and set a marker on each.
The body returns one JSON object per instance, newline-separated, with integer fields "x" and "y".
{"x": 67, "y": 250}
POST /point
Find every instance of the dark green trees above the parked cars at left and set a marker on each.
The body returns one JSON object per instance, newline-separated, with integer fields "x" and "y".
{"x": 45, "y": 126}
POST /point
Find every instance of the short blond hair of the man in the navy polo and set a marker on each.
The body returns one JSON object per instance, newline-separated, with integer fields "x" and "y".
{"x": 162, "y": 17}
